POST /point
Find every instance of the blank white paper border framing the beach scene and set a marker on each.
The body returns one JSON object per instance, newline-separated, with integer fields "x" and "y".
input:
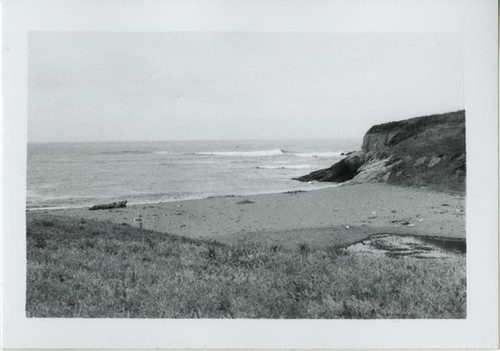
{"x": 475, "y": 20}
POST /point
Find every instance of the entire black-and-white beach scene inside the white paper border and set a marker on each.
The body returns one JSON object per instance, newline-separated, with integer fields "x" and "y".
{"x": 245, "y": 175}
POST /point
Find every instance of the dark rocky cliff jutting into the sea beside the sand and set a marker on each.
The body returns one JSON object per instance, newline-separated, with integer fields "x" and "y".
{"x": 423, "y": 151}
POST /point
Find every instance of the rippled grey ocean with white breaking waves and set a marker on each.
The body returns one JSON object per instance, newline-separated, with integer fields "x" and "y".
{"x": 84, "y": 174}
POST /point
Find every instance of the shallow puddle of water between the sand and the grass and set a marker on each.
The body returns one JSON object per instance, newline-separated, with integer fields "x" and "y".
{"x": 395, "y": 246}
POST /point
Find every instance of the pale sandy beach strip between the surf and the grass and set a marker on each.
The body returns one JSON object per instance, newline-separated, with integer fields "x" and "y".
{"x": 330, "y": 216}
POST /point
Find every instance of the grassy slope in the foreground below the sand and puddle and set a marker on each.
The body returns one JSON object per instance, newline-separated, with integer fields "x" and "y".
{"x": 84, "y": 268}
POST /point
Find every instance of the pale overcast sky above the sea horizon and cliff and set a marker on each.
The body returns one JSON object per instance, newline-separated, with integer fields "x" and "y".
{"x": 97, "y": 86}
